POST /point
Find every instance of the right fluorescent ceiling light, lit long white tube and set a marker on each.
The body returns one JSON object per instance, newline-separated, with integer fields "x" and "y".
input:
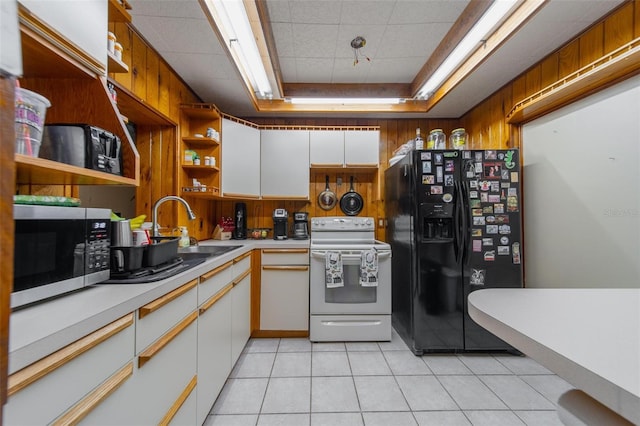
{"x": 496, "y": 12}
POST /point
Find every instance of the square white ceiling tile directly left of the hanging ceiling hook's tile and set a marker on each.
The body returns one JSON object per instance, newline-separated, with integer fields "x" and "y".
{"x": 314, "y": 41}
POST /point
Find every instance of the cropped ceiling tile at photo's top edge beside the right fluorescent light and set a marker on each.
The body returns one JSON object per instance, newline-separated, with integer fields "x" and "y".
{"x": 421, "y": 11}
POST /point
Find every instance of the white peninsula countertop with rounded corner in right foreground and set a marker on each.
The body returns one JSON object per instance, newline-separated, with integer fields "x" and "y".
{"x": 589, "y": 337}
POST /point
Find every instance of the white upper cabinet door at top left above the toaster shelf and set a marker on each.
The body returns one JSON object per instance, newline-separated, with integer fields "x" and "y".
{"x": 84, "y": 23}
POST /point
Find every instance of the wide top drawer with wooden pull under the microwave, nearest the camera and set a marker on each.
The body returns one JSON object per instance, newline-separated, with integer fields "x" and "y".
{"x": 42, "y": 391}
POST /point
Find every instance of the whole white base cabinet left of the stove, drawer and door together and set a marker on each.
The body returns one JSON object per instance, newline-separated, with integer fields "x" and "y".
{"x": 284, "y": 290}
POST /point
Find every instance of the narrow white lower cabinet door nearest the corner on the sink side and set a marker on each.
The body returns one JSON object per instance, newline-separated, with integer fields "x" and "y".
{"x": 240, "y": 315}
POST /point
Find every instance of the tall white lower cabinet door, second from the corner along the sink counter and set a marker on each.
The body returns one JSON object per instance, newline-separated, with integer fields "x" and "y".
{"x": 214, "y": 349}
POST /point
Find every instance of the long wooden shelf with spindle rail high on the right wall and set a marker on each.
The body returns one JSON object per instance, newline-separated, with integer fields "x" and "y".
{"x": 607, "y": 70}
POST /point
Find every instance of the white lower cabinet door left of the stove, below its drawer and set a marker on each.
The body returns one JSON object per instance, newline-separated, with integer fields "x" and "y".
{"x": 284, "y": 297}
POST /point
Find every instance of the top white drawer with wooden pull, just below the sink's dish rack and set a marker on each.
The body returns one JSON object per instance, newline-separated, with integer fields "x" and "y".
{"x": 158, "y": 316}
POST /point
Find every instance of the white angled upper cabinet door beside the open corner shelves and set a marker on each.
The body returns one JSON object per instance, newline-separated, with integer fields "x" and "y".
{"x": 240, "y": 160}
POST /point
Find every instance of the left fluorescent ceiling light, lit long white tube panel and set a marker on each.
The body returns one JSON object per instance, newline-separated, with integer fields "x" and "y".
{"x": 233, "y": 22}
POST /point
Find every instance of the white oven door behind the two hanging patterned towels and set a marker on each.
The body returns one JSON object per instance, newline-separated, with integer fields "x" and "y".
{"x": 352, "y": 298}
